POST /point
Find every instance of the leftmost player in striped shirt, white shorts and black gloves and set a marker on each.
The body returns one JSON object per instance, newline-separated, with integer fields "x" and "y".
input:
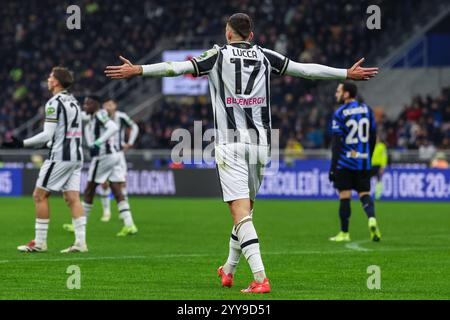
{"x": 61, "y": 172}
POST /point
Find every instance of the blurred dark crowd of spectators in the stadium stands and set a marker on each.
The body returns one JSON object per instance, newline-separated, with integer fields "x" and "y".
{"x": 34, "y": 38}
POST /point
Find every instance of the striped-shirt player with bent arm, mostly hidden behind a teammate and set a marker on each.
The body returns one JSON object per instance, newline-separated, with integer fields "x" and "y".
{"x": 124, "y": 141}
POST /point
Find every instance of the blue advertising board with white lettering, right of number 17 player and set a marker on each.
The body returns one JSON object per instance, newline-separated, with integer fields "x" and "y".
{"x": 309, "y": 180}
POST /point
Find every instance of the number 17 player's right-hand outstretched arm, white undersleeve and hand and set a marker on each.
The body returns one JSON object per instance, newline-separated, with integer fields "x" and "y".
{"x": 321, "y": 72}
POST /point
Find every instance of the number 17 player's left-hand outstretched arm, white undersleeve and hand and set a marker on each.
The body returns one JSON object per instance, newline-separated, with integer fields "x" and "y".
{"x": 163, "y": 69}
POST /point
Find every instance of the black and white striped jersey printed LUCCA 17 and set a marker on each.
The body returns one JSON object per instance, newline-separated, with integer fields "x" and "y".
{"x": 239, "y": 80}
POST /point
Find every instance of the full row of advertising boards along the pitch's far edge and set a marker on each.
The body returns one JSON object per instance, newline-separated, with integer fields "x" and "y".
{"x": 308, "y": 180}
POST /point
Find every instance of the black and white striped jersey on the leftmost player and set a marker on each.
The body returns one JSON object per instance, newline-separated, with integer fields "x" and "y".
{"x": 64, "y": 110}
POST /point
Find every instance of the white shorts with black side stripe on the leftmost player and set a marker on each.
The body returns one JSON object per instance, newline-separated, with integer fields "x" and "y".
{"x": 60, "y": 176}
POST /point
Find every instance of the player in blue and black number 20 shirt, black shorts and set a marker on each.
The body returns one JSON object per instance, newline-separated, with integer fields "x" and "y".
{"x": 353, "y": 142}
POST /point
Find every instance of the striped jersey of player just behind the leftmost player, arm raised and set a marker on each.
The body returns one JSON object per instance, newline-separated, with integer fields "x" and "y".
{"x": 95, "y": 128}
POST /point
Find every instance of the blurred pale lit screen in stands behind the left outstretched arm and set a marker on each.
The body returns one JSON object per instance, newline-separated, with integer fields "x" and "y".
{"x": 187, "y": 84}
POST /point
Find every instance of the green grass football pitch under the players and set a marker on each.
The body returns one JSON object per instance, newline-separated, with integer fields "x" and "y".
{"x": 181, "y": 242}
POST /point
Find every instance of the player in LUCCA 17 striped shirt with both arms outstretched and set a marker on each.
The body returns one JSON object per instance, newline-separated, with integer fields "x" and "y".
{"x": 239, "y": 80}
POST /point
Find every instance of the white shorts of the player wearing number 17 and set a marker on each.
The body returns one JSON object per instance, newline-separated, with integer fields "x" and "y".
{"x": 240, "y": 168}
